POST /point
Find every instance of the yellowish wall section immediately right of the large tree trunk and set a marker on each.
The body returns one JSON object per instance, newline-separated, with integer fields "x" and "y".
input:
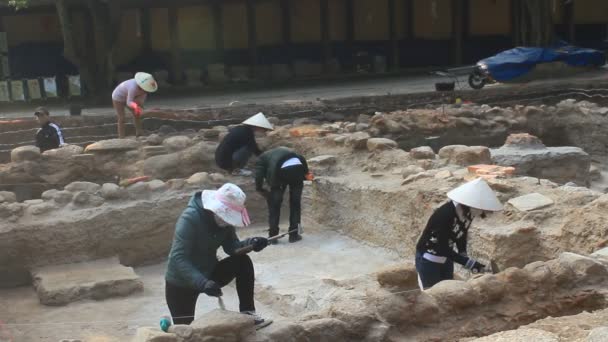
{"x": 128, "y": 41}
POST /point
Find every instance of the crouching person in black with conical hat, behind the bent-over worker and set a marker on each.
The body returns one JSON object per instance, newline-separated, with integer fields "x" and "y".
{"x": 239, "y": 145}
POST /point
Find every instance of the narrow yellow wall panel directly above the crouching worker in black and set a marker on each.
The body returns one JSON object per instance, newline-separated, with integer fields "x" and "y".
{"x": 235, "y": 25}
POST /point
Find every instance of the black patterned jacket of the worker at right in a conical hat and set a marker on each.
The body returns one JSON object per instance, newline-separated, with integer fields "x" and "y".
{"x": 443, "y": 232}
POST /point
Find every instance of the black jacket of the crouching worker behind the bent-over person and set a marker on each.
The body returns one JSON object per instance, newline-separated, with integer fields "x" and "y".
{"x": 236, "y": 138}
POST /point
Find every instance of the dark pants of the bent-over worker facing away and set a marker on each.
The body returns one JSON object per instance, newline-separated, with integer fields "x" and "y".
{"x": 292, "y": 177}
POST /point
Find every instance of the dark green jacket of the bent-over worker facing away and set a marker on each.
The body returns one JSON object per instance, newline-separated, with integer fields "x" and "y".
{"x": 269, "y": 163}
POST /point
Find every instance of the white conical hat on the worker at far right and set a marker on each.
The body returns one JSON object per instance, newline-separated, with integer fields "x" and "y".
{"x": 476, "y": 194}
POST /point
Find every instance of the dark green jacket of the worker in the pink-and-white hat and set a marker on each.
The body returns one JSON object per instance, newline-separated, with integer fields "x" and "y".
{"x": 193, "y": 254}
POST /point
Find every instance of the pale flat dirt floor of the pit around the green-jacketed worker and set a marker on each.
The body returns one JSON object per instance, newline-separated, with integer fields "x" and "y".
{"x": 285, "y": 273}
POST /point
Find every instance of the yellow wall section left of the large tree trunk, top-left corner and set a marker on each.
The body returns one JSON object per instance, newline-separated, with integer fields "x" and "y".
{"x": 32, "y": 28}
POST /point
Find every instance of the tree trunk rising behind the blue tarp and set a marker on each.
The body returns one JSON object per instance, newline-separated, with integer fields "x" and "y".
{"x": 536, "y": 25}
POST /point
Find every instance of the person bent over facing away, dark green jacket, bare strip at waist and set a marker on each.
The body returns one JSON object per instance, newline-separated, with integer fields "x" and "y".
{"x": 282, "y": 168}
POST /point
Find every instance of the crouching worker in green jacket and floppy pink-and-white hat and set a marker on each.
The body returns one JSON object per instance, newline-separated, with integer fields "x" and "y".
{"x": 206, "y": 224}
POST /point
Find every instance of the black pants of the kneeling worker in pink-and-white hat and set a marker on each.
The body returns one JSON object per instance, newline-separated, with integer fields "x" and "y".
{"x": 182, "y": 301}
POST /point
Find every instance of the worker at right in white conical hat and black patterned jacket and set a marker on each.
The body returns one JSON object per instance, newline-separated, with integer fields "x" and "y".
{"x": 448, "y": 229}
